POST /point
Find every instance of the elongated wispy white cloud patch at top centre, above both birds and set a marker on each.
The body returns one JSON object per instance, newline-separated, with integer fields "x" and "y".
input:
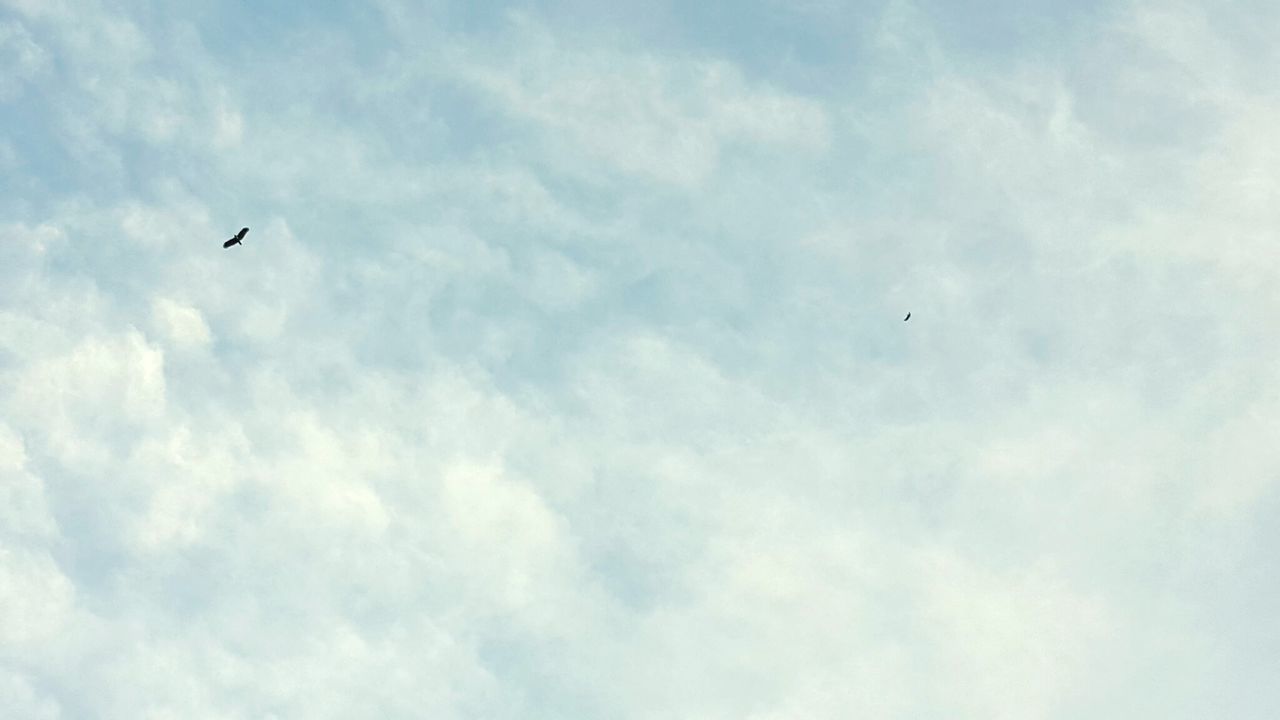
{"x": 662, "y": 120}
